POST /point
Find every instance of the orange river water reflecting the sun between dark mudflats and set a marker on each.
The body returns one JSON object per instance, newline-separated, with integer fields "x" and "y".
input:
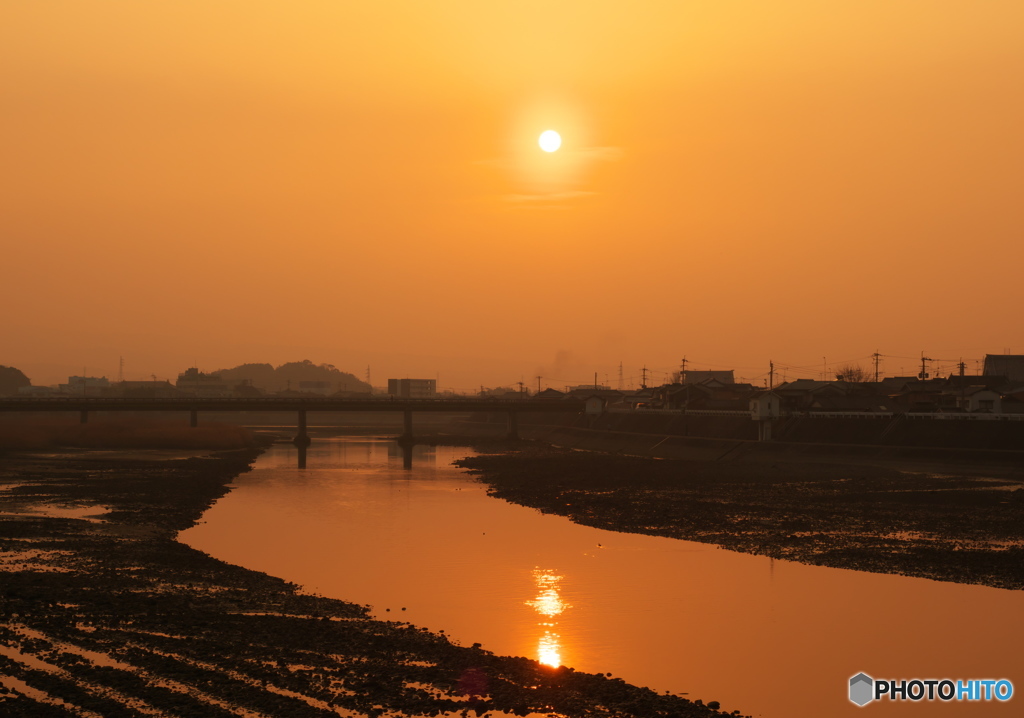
{"x": 770, "y": 639}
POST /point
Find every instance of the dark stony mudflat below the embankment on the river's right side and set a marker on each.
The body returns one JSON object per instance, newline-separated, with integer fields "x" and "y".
{"x": 966, "y": 527}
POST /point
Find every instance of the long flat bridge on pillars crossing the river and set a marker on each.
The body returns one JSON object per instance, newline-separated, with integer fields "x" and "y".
{"x": 194, "y": 405}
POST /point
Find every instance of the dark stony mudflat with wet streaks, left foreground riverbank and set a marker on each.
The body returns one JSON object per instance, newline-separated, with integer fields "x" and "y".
{"x": 107, "y": 615}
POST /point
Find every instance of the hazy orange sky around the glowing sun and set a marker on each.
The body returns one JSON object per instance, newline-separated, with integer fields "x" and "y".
{"x": 360, "y": 184}
